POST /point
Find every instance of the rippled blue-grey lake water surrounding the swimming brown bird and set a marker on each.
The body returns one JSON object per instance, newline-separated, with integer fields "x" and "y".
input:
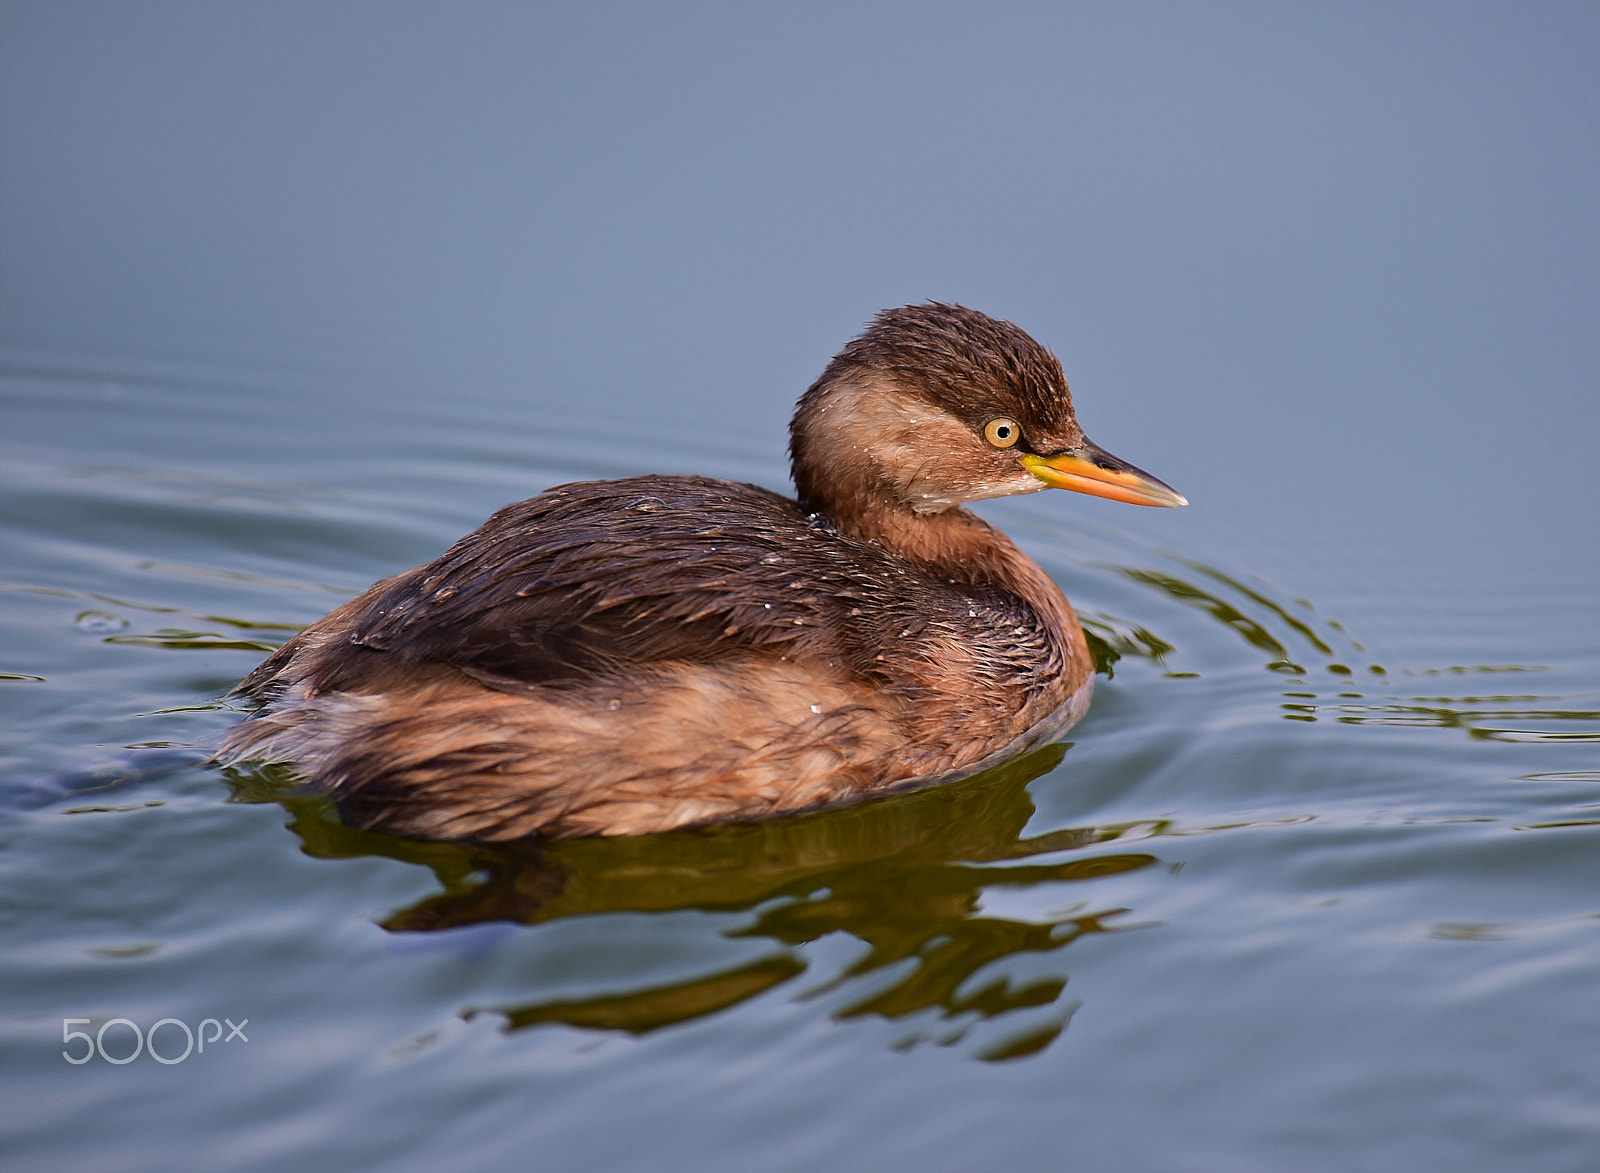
{"x": 290, "y": 298}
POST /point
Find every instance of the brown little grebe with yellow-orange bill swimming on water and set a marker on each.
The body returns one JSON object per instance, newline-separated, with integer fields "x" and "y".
{"x": 626, "y": 657}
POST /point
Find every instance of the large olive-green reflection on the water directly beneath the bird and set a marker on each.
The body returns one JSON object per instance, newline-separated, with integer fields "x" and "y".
{"x": 903, "y": 876}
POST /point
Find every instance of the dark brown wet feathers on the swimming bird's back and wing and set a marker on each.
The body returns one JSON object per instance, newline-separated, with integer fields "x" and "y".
{"x": 607, "y": 575}
